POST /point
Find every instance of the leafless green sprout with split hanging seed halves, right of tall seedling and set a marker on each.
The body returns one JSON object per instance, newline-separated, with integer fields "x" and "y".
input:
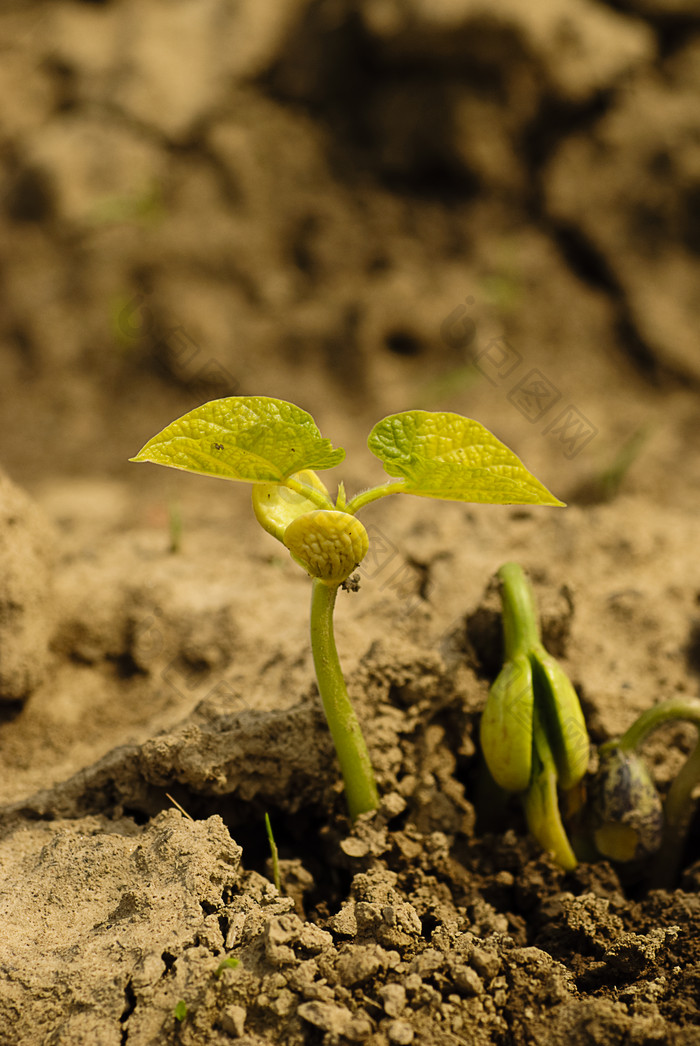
{"x": 534, "y": 736}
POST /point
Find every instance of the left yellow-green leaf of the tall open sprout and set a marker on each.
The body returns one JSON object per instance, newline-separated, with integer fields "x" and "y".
{"x": 255, "y": 440}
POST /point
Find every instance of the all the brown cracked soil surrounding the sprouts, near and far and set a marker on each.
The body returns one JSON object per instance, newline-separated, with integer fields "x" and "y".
{"x": 362, "y": 208}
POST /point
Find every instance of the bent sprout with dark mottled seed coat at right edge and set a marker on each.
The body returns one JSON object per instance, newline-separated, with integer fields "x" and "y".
{"x": 628, "y": 822}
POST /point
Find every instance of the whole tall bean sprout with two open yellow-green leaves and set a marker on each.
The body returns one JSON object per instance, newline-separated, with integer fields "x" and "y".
{"x": 277, "y": 447}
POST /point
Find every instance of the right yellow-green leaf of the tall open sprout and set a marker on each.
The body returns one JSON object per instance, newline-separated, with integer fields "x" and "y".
{"x": 443, "y": 456}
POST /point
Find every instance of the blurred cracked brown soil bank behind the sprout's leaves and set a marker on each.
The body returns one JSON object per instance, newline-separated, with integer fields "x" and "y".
{"x": 363, "y": 207}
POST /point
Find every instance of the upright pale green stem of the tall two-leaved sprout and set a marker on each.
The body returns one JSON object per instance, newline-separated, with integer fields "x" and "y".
{"x": 362, "y": 792}
